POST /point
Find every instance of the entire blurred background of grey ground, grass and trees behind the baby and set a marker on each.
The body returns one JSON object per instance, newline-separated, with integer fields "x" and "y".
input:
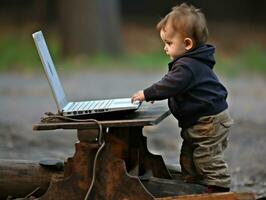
{"x": 108, "y": 49}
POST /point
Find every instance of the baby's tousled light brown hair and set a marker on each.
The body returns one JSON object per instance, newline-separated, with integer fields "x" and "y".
{"x": 188, "y": 21}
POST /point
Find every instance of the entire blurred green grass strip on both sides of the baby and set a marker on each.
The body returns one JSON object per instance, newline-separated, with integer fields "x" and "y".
{"x": 18, "y": 53}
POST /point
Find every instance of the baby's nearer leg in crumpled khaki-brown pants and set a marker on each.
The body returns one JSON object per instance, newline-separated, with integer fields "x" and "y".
{"x": 209, "y": 138}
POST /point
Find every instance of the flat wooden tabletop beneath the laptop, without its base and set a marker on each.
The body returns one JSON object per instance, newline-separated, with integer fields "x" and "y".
{"x": 147, "y": 115}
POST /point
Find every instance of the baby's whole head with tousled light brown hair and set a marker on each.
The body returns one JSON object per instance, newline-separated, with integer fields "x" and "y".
{"x": 182, "y": 29}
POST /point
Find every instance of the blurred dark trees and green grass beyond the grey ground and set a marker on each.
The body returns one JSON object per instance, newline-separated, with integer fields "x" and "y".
{"x": 91, "y": 32}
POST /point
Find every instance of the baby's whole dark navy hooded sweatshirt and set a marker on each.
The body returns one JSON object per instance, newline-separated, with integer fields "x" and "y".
{"x": 191, "y": 87}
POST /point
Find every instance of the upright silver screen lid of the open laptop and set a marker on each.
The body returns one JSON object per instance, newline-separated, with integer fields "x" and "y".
{"x": 50, "y": 71}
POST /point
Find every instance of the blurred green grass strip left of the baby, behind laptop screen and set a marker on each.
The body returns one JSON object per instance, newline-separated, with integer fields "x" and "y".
{"x": 18, "y": 53}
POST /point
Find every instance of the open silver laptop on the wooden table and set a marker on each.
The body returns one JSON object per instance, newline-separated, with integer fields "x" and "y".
{"x": 67, "y": 108}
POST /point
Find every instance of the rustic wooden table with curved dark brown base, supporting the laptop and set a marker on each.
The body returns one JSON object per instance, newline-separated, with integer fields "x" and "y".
{"x": 122, "y": 167}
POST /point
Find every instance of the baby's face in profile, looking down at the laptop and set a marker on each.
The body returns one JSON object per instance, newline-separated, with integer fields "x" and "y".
{"x": 174, "y": 44}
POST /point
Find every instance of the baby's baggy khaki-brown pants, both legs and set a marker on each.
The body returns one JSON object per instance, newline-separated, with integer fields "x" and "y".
{"x": 201, "y": 156}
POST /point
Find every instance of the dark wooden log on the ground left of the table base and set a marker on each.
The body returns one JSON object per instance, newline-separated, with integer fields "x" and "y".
{"x": 18, "y": 178}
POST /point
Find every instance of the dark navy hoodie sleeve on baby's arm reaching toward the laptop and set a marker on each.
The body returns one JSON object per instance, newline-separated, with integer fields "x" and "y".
{"x": 173, "y": 83}
